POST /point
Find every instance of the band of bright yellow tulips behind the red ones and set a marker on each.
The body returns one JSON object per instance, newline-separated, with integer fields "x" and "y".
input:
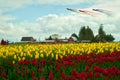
{"x": 23, "y": 51}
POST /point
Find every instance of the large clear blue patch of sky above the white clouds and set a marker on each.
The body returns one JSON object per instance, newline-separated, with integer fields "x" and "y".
{"x": 31, "y": 12}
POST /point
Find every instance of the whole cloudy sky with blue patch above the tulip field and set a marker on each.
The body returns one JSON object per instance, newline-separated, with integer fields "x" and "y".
{"x": 42, "y": 18}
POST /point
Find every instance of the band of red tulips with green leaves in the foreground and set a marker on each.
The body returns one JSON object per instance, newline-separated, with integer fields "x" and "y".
{"x": 102, "y": 66}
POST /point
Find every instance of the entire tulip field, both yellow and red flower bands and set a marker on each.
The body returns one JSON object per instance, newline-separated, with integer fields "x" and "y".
{"x": 74, "y": 61}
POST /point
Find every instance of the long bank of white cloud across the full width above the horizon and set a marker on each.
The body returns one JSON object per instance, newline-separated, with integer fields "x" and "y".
{"x": 63, "y": 25}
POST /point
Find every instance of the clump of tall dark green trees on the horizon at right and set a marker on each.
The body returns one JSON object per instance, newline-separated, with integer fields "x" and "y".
{"x": 86, "y": 33}
